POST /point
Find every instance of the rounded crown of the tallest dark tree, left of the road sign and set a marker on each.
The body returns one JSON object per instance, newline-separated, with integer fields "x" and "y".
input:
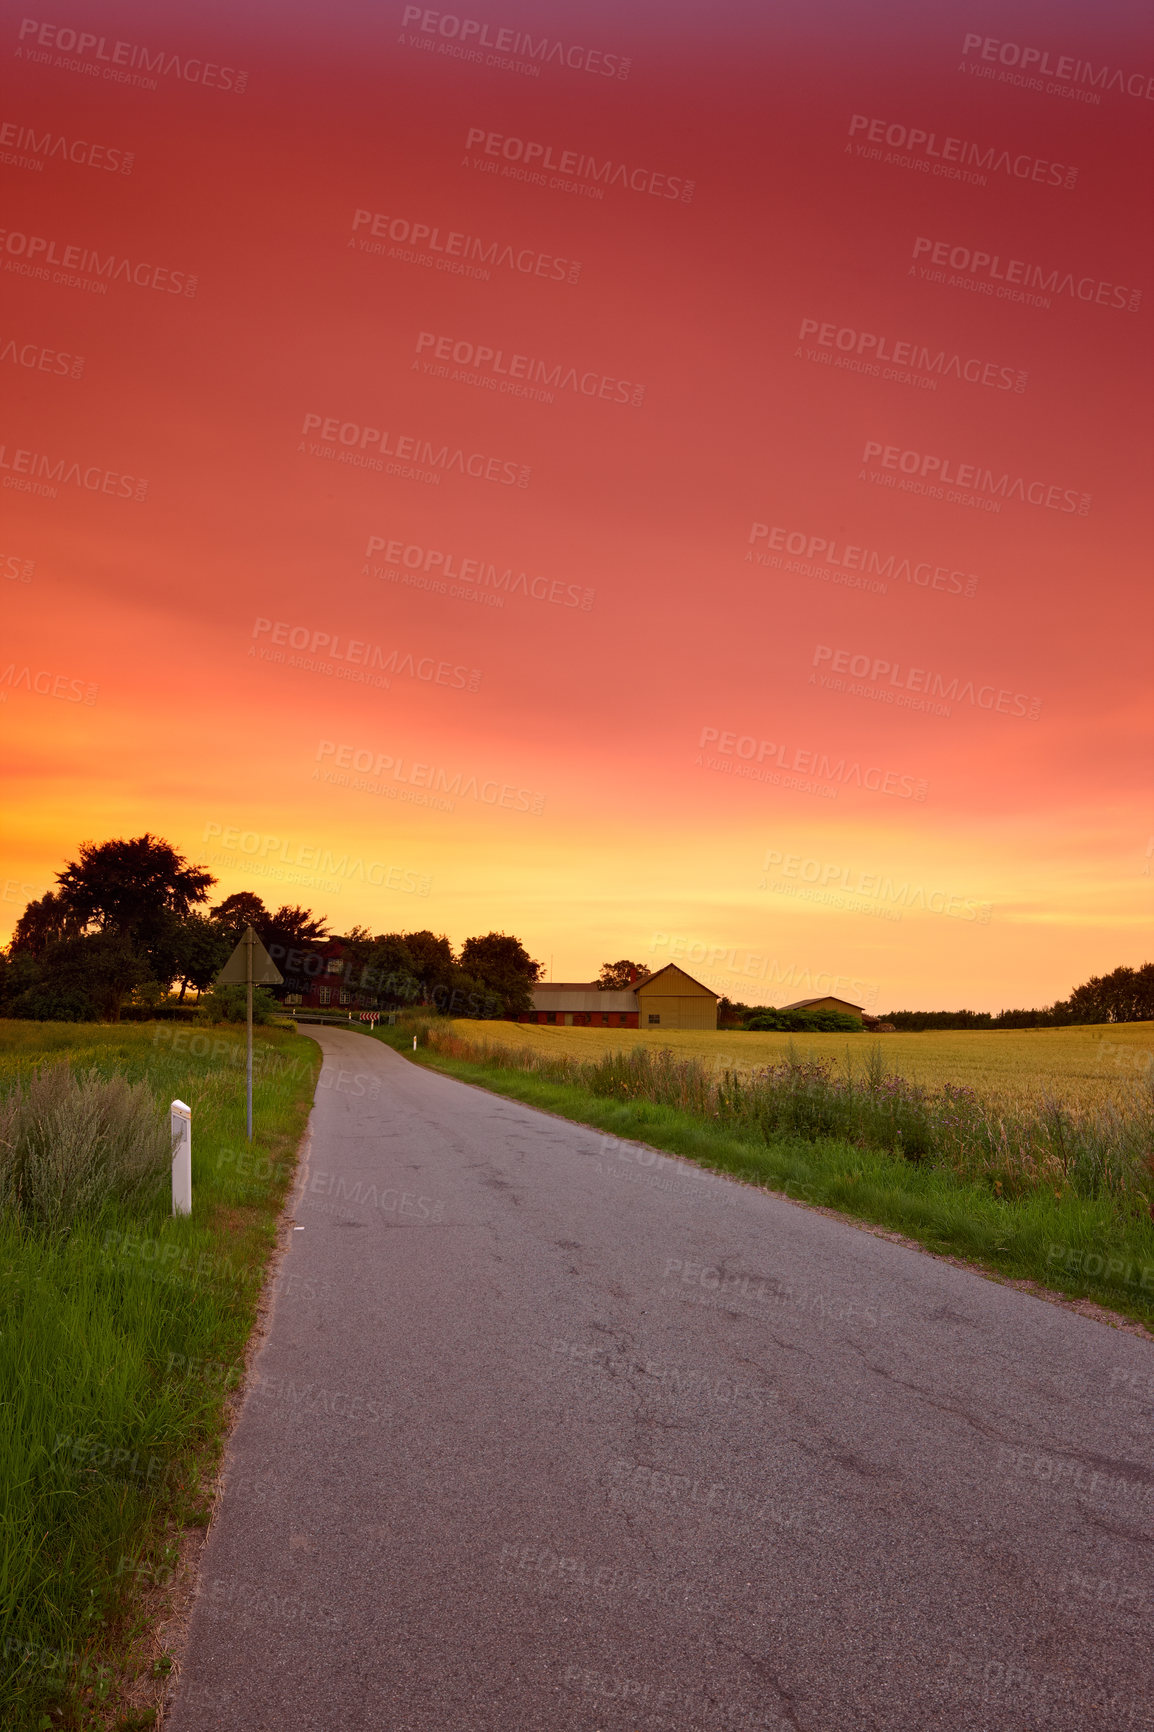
{"x": 133, "y": 888}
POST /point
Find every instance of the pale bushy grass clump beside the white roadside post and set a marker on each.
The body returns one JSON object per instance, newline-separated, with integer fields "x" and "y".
{"x": 72, "y": 1144}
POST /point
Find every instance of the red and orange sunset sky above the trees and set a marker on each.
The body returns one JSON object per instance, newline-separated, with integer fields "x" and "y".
{"x": 836, "y": 396}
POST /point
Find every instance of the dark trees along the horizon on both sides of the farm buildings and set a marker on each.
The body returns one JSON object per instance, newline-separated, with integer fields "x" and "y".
{"x": 129, "y": 922}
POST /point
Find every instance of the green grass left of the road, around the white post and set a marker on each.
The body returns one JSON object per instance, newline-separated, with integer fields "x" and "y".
{"x": 120, "y": 1345}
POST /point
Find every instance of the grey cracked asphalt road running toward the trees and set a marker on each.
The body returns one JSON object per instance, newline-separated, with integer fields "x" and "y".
{"x": 552, "y": 1431}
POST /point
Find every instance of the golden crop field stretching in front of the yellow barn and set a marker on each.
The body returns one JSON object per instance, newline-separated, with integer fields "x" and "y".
{"x": 1080, "y": 1066}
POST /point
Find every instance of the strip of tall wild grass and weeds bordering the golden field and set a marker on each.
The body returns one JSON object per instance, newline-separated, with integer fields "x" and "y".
{"x": 1101, "y": 1151}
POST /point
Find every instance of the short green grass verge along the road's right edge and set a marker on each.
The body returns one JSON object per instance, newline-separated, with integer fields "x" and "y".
{"x": 1084, "y": 1248}
